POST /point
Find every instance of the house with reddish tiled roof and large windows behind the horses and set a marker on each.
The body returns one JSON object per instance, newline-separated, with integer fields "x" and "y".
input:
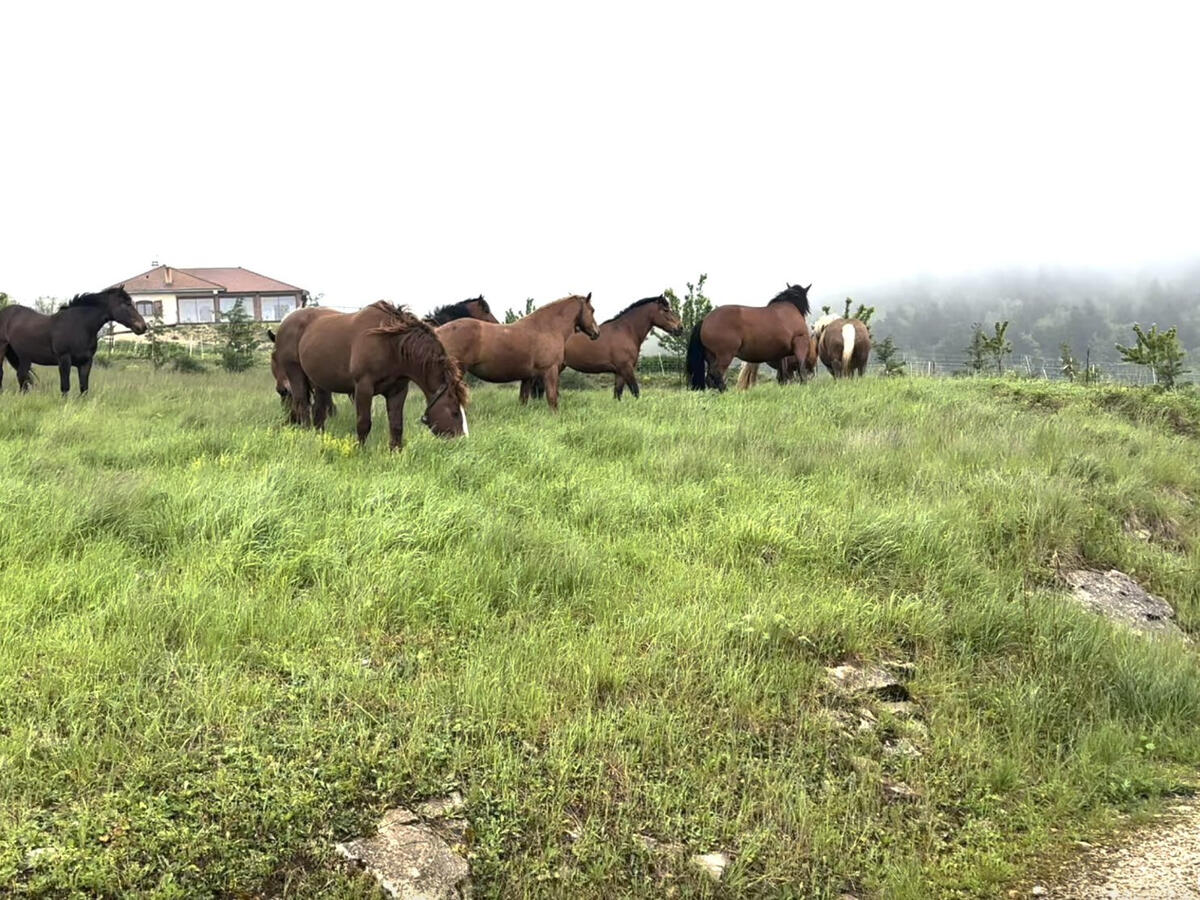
{"x": 184, "y": 297}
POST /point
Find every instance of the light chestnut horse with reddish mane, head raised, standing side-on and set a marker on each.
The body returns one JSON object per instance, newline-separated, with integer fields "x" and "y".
{"x": 531, "y": 346}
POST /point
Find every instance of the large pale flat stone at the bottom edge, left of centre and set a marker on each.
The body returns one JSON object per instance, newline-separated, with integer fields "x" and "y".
{"x": 410, "y": 861}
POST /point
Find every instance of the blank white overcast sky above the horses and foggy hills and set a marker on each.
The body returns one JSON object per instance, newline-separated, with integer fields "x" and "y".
{"x": 428, "y": 153}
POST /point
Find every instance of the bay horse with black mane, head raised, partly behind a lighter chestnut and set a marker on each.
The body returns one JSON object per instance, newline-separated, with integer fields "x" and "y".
{"x": 620, "y": 344}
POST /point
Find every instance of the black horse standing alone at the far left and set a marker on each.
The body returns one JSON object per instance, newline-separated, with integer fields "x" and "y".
{"x": 67, "y": 339}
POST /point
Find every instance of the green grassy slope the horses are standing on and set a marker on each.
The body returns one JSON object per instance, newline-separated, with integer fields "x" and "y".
{"x": 226, "y": 645}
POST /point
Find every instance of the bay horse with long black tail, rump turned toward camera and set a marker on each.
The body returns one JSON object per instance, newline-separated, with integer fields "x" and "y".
{"x": 753, "y": 334}
